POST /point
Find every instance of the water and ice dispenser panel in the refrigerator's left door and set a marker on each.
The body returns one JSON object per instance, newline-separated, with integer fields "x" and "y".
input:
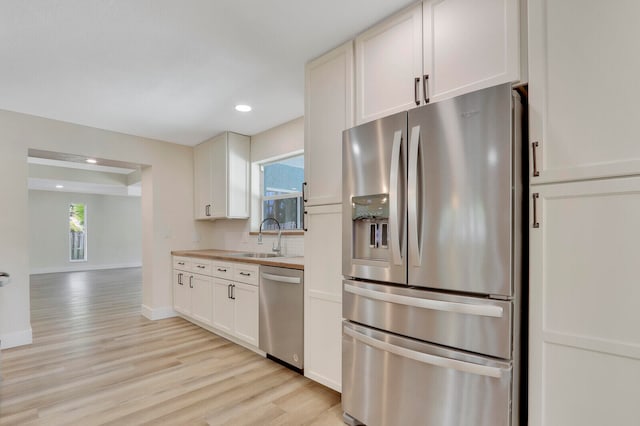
{"x": 370, "y": 220}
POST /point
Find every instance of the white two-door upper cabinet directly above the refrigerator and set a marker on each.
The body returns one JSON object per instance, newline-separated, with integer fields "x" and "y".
{"x": 436, "y": 50}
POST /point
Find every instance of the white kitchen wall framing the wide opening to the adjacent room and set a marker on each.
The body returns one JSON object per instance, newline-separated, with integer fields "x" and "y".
{"x": 167, "y": 208}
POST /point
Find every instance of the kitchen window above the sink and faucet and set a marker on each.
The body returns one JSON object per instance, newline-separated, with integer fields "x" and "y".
{"x": 282, "y": 192}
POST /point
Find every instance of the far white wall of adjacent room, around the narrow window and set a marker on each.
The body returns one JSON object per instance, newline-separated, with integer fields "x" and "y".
{"x": 114, "y": 231}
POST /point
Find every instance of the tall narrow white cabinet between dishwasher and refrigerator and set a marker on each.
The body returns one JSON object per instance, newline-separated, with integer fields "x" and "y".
{"x": 328, "y": 111}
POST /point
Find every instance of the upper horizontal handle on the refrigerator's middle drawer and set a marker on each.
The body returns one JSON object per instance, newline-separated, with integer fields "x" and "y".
{"x": 437, "y": 305}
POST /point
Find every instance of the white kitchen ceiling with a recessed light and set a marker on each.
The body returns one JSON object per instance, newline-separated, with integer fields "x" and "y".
{"x": 170, "y": 69}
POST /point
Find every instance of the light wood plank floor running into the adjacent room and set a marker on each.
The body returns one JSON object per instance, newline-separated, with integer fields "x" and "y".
{"x": 96, "y": 360}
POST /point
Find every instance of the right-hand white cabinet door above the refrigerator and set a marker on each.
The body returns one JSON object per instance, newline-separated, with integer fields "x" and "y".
{"x": 470, "y": 45}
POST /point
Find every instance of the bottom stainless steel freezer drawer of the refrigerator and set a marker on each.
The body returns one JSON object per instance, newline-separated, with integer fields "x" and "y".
{"x": 392, "y": 380}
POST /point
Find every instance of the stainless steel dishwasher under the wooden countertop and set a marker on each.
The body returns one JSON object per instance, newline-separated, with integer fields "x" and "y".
{"x": 281, "y": 315}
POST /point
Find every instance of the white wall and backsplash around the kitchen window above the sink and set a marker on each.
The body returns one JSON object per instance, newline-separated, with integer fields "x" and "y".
{"x": 279, "y": 141}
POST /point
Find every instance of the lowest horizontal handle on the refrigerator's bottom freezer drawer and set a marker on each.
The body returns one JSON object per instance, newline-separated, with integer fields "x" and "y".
{"x": 438, "y": 361}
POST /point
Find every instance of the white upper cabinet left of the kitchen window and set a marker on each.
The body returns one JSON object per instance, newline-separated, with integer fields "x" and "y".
{"x": 221, "y": 174}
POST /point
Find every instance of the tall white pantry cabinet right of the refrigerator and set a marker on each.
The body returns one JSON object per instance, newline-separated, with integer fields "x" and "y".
{"x": 584, "y": 366}
